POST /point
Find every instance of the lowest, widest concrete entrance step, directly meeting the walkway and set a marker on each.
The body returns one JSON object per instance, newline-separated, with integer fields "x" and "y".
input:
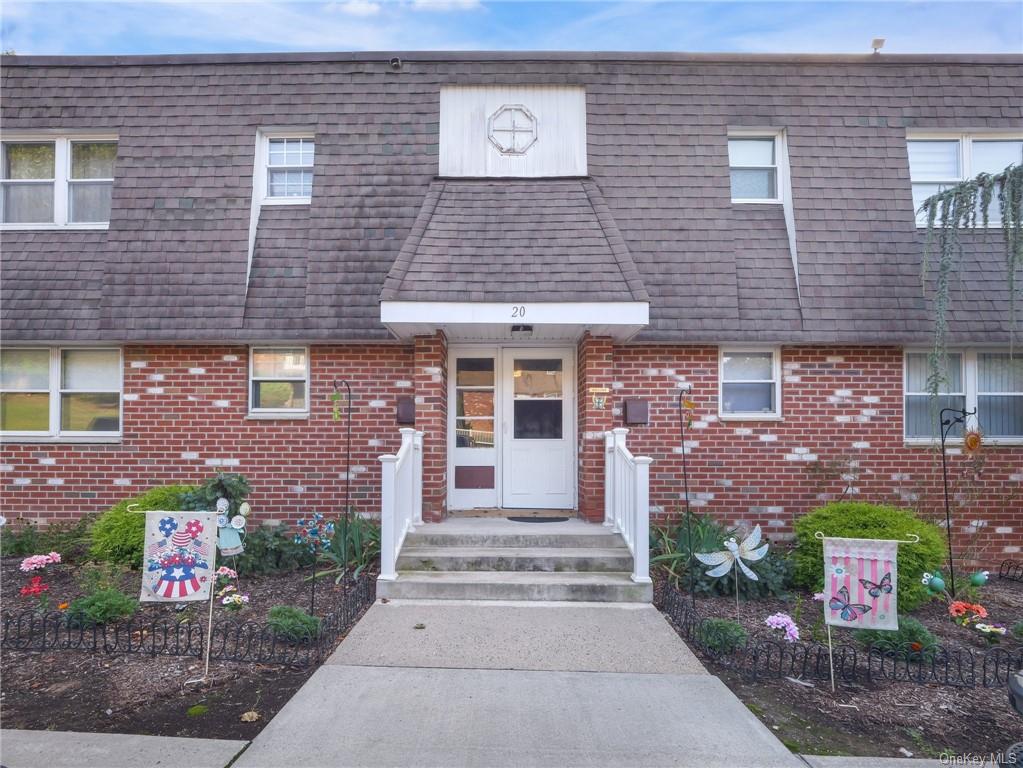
{"x": 512, "y": 585}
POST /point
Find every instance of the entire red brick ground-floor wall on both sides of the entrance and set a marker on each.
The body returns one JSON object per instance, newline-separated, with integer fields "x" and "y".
{"x": 186, "y": 417}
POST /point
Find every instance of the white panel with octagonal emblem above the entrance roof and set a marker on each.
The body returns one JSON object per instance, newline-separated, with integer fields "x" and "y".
{"x": 513, "y": 131}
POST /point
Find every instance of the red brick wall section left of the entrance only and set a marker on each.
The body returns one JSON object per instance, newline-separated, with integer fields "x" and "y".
{"x": 186, "y": 417}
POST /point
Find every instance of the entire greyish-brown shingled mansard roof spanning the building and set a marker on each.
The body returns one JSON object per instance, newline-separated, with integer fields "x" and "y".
{"x": 653, "y": 220}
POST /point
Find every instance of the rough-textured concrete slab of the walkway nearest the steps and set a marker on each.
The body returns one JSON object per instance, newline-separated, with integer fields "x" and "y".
{"x": 504, "y": 636}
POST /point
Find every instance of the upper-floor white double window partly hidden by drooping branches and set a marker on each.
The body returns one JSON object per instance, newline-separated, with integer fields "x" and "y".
{"x": 941, "y": 161}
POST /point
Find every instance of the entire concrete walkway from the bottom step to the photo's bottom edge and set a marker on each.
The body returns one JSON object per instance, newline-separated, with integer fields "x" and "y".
{"x": 517, "y": 686}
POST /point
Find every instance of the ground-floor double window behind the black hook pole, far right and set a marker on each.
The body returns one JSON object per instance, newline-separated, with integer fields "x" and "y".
{"x": 989, "y": 381}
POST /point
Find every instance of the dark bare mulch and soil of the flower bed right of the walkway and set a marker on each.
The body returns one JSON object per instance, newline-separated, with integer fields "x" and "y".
{"x": 884, "y": 719}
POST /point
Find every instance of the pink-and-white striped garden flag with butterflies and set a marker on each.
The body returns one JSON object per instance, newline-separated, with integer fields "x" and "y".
{"x": 861, "y": 583}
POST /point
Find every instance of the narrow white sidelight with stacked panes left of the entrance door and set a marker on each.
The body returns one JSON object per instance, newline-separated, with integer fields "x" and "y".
{"x": 473, "y": 382}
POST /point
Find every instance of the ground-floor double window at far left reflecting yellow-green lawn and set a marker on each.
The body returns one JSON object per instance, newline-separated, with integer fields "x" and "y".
{"x": 61, "y": 393}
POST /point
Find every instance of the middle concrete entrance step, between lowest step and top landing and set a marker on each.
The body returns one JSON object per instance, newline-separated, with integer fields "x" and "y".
{"x": 515, "y": 559}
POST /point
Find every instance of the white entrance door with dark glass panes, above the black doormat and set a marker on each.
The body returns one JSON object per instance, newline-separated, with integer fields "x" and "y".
{"x": 538, "y": 430}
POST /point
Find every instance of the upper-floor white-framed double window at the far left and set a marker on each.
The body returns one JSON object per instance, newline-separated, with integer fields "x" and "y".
{"x": 57, "y": 182}
